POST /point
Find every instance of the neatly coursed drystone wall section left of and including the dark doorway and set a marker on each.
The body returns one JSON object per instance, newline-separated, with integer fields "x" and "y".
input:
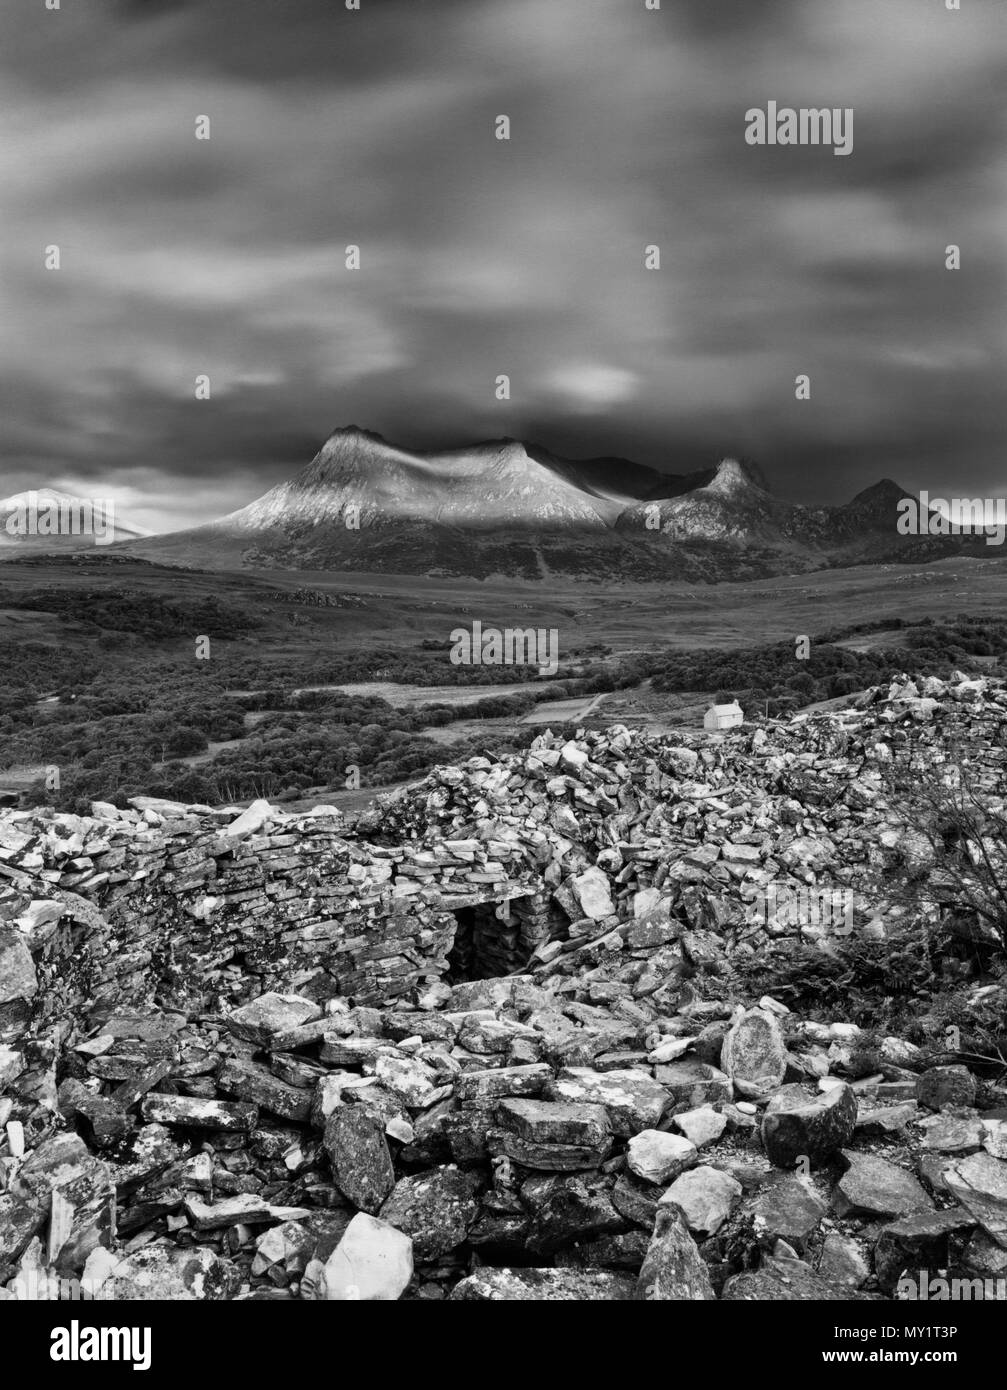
{"x": 122, "y": 913}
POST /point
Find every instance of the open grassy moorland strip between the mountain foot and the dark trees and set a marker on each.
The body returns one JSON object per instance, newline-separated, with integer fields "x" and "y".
{"x": 383, "y": 610}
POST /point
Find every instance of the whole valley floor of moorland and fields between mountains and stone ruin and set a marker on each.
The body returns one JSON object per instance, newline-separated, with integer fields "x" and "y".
{"x": 273, "y": 628}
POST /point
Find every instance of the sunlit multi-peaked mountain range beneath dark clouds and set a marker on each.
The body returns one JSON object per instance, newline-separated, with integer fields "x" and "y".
{"x": 510, "y": 508}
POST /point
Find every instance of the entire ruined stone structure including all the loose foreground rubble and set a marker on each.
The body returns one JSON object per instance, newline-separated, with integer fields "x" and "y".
{"x": 493, "y": 1042}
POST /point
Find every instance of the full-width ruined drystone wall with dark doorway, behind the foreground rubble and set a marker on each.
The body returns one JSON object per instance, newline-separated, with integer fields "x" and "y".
{"x": 577, "y": 846}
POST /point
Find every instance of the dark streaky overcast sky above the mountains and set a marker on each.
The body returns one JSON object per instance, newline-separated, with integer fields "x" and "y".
{"x": 481, "y": 258}
